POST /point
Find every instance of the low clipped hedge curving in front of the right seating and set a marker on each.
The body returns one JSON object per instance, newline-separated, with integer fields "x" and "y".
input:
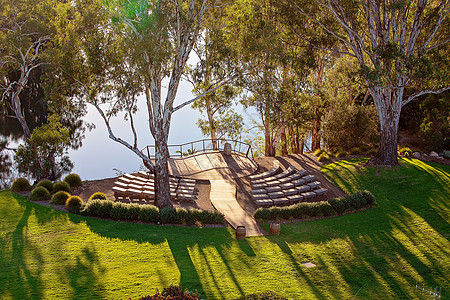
{"x": 306, "y": 210}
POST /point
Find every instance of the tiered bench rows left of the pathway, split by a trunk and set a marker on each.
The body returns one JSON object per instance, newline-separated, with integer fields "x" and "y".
{"x": 142, "y": 187}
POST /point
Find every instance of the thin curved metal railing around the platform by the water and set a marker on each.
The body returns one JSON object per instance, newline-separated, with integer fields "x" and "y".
{"x": 200, "y": 146}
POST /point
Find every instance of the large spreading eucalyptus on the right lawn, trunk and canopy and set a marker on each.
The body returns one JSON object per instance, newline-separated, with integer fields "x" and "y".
{"x": 401, "y": 47}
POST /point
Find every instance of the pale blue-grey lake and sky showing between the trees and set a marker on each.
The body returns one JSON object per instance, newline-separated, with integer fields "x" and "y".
{"x": 100, "y": 157}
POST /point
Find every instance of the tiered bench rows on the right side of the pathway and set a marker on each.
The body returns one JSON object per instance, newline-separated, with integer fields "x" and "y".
{"x": 278, "y": 188}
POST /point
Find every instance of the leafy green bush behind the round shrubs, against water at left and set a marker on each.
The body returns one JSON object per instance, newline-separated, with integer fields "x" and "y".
{"x": 44, "y": 154}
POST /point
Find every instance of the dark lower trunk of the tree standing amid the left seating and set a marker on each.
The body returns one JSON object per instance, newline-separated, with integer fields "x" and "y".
{"x": 162, "y": 189}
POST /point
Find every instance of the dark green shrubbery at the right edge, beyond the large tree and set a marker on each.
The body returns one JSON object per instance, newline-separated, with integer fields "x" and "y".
{"x": 435, "y": 127}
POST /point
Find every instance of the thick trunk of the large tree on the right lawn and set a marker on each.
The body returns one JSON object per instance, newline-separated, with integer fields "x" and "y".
{"x": 389, "y": 105}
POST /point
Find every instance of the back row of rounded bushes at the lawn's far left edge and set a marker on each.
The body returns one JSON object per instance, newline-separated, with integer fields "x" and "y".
{"x": 70, "y": 181}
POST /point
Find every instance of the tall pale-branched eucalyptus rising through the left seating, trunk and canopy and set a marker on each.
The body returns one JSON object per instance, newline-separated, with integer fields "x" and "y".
{"x": 155, "y": 39}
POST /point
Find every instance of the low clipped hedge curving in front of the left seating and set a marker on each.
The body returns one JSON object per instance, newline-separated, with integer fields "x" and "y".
{"x": 149, "y": 213}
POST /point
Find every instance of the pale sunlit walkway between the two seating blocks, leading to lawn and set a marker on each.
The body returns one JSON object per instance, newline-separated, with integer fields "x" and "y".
{"x": 223, "y": 198}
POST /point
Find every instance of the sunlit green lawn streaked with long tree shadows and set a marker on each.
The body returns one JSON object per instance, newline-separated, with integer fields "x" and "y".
{"x": 380, "y": 253}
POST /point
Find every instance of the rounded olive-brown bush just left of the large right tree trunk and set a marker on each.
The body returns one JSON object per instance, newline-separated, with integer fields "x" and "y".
{"x": 349, "y": 126}
